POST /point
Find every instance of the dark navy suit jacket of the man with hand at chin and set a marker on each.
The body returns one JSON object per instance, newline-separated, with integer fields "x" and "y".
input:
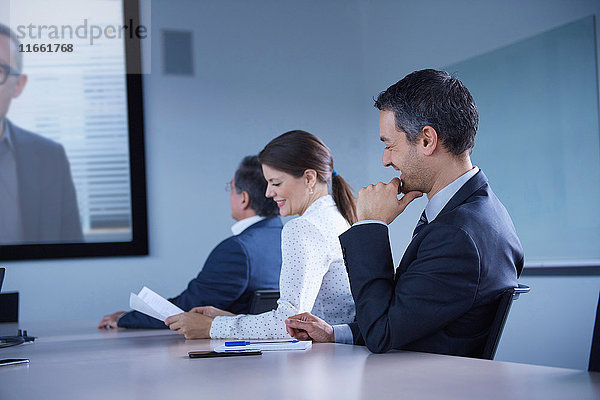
{"x": 443, "y": 296}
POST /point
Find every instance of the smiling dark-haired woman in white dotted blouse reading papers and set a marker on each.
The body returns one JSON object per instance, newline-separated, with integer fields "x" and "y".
{"x": 301, "y": 179}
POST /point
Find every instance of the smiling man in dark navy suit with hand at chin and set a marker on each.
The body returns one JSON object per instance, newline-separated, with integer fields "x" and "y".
{"x": 464, "y": 252}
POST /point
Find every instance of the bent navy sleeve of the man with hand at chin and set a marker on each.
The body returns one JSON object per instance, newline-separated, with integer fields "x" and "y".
{"x": 438, "y": 286}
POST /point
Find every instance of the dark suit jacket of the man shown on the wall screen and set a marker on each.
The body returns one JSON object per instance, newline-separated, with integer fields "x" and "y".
{"x": 49, "y": 211}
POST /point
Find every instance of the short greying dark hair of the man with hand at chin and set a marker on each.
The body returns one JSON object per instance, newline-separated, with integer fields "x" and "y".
{"x": 434, "y": 98}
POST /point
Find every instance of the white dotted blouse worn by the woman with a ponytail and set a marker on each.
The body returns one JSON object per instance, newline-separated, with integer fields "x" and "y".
{"x": 313, "y": 277}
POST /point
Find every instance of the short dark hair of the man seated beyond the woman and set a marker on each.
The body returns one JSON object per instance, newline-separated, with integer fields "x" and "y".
{"x": 249, "y": 178}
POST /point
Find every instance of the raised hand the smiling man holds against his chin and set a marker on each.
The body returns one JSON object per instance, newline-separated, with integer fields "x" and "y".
{"x": 380, "y": 201}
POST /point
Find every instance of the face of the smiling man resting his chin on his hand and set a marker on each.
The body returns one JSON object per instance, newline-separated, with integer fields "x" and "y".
{"x": 402, "y": 155}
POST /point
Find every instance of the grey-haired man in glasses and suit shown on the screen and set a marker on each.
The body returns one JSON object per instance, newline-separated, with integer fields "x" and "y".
{"x": 38, "y": 203}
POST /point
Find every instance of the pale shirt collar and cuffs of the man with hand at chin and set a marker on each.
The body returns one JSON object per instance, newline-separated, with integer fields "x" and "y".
{"x": 435, "y": 205}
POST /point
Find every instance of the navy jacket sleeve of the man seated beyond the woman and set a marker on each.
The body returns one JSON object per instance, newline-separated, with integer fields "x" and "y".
{"x": 221, "y": 282}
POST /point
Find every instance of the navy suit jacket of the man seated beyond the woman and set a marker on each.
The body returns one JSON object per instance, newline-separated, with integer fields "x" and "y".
{"x": 236, "y": 268}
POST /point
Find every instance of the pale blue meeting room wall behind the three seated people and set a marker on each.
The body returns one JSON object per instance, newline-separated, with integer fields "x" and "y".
{"x": 264, "y": 67}
